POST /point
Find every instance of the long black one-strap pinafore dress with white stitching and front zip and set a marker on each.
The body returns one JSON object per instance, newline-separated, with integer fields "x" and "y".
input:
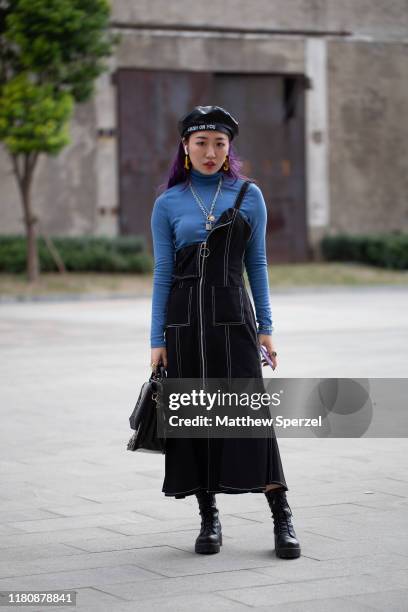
{"x": 211, "y": 332}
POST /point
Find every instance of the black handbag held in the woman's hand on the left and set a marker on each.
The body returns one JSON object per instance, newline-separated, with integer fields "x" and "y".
{"x": 145, "y": 414}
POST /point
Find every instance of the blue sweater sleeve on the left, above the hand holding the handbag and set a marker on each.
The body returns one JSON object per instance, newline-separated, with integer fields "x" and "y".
{"x": 163, "y": 251}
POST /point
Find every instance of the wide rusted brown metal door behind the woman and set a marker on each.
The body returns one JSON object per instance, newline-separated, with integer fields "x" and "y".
{"x": 270, "y": 110}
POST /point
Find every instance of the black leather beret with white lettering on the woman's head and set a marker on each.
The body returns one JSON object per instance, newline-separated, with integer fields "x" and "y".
{"x": 208, "y": 118}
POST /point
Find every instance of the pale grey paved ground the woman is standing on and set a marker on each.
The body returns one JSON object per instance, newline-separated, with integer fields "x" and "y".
{"x": 78, "y": 511}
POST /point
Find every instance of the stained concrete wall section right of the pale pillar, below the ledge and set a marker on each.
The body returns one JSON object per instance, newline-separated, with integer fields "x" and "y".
{"x": 368, "y": 98}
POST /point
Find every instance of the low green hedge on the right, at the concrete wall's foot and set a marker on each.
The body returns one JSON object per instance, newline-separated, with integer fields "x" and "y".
{"x": 385, "y": 250}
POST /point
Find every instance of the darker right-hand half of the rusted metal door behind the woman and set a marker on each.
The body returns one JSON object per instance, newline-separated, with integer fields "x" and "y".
{"x": 271, "y": 143}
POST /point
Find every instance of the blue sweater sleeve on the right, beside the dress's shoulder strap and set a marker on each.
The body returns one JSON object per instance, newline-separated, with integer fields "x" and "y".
{"x": 255, "y": 260}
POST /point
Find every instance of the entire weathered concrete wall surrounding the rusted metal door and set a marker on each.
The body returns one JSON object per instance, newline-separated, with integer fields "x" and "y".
{"x": 355, "y": 53}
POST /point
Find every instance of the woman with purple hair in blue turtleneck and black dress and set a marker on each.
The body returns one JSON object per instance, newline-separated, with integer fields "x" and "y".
{"x": 208, "y": 223}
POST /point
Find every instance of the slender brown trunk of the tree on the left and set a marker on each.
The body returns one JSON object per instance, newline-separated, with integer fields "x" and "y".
{"x": 24, "y": 177}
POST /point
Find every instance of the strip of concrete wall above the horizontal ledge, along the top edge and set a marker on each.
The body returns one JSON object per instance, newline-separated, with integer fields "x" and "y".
{"x": 368, "y": 17}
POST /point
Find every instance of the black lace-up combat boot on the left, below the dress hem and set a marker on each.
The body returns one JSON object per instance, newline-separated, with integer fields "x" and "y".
{"x": 210, "y": 537}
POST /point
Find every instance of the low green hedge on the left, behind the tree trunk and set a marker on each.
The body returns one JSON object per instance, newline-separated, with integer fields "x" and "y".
{"x": 80, "y": 254}
